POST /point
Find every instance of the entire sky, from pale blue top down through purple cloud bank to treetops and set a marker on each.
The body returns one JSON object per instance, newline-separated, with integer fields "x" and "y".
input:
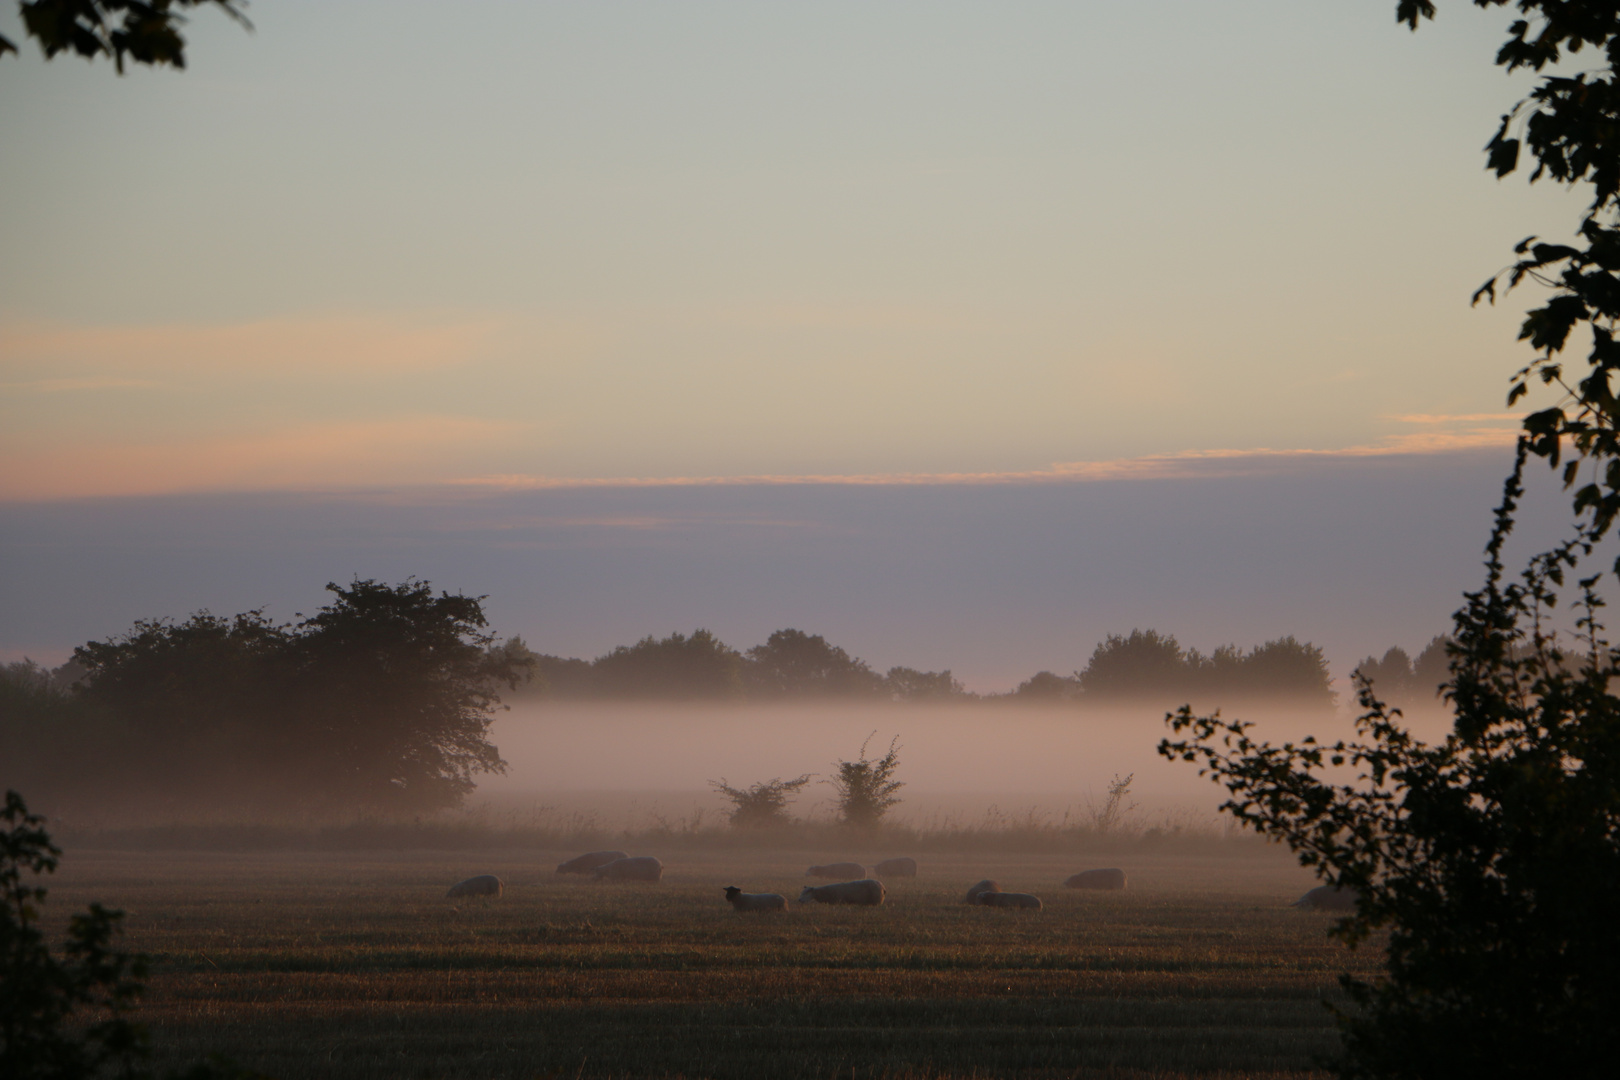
{"x": 960, "y": 333}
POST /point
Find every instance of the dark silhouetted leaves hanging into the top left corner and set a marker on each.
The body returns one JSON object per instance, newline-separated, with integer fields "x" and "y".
{"x": 147, "y": 32}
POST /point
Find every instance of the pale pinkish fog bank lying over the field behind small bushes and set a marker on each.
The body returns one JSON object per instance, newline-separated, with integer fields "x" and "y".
{"x": 631, "y": 763}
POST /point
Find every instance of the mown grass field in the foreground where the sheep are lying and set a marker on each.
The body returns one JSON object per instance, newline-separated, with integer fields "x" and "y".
{"x": 356, "y": 966}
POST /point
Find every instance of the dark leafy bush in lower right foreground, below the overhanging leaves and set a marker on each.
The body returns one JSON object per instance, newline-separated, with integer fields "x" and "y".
{"x": 1491, "y": 859}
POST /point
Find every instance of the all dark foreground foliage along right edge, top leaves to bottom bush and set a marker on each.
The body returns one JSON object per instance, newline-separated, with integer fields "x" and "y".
{"x": 1491, "y": 861}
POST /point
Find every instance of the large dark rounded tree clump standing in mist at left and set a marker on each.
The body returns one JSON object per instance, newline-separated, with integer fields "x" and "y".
{"x": 382, "y": 699}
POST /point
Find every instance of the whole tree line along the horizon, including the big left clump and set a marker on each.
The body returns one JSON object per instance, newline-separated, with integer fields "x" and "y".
{"x": 383, "y": 699}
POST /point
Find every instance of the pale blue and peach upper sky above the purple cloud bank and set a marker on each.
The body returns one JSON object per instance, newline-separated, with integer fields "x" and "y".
{"x": 748, "y": 239}
